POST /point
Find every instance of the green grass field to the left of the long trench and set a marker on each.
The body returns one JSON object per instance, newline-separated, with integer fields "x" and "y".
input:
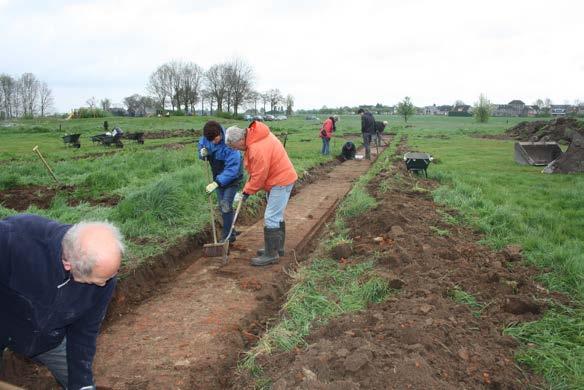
{"x": 161, "y": 190}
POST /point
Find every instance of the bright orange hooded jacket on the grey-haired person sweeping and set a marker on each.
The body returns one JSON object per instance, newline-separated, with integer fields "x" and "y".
{"x": 266, "y": 160}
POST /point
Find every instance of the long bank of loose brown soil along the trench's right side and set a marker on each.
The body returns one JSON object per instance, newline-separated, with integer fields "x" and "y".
{"x": 420, "y": 338}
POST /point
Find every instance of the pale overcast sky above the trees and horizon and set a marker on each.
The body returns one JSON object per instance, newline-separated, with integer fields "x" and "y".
{"x": 331, "y": 53}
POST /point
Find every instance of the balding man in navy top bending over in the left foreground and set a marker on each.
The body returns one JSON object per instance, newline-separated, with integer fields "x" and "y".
{"x": 56, "y": 282}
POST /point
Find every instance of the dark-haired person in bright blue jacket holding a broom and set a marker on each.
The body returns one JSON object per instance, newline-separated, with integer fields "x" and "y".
{"x": 227, "y": 171}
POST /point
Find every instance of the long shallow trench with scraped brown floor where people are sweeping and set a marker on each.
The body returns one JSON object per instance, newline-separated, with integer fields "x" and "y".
{"x": 189, "y": 334}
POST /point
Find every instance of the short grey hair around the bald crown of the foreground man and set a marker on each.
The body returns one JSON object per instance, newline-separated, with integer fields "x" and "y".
{"x": 83, "y": 259}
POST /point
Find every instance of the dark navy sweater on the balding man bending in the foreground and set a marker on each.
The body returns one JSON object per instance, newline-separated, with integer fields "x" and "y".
{"x": 40, "y": 303}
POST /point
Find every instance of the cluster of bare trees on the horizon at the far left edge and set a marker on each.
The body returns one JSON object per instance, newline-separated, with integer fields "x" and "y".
{"x": 24, "y": 96}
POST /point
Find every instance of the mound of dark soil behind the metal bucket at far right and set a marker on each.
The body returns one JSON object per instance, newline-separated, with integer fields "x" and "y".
{"x": 559, "y": 129}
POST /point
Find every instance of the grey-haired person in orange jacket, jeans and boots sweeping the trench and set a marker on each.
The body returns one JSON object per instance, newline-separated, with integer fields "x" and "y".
{"x": 269, "y": 169}
